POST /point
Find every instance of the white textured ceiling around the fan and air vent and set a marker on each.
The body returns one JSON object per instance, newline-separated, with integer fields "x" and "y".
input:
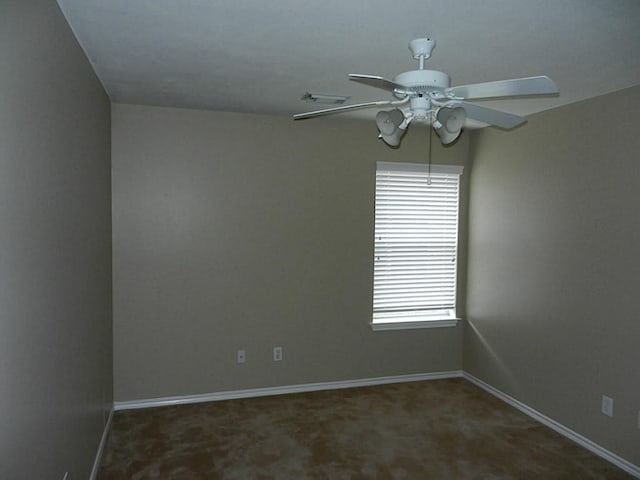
{"x": 257, "y": 56}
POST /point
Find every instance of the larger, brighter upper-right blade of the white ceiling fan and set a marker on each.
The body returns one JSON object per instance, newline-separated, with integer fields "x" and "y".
{"x": 541, "y": 85}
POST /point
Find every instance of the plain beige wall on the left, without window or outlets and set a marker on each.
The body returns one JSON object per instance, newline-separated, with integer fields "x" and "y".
{"x": 55, "y": 247}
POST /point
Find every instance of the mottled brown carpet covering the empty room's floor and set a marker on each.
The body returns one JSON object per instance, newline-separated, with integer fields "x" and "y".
{"x": 440, "y": 429}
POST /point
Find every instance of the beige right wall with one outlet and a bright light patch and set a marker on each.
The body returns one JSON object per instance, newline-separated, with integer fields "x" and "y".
{"x": 554, "y": 266}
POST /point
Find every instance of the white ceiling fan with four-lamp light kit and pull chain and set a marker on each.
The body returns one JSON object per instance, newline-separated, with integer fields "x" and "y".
{"x": 425, "y": 96}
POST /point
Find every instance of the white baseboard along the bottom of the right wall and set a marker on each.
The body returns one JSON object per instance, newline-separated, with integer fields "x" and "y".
{"x": 558, "y": 427}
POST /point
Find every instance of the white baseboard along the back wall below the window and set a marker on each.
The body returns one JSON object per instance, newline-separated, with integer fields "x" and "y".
{"x": 268, "y": 391}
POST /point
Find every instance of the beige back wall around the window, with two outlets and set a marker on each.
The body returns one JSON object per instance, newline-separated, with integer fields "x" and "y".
{"x": 250, "y": 231}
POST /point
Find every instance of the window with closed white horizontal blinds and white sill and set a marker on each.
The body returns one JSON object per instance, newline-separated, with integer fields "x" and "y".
{"x": 416, "y": 245}
